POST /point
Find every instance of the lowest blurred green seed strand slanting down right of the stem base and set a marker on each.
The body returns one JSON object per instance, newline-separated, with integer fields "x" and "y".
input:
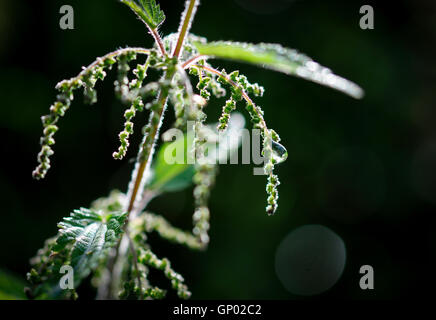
{"x": 177, "y": 282}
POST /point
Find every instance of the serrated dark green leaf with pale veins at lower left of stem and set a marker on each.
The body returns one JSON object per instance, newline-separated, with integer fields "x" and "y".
{"x": 91, "y": 235}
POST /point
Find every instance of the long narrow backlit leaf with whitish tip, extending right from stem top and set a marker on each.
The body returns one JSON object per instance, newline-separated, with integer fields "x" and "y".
{"x": 278, "y": 58}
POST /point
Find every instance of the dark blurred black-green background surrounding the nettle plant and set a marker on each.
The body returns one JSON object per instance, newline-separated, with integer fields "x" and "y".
{"x": 365, "y": 169}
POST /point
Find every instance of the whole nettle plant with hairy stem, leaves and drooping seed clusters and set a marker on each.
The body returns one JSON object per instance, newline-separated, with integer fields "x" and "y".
{"x": 109, "y": 241}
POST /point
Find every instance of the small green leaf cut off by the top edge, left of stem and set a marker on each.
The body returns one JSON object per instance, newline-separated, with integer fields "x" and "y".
{"x": 147, "y": 10}
